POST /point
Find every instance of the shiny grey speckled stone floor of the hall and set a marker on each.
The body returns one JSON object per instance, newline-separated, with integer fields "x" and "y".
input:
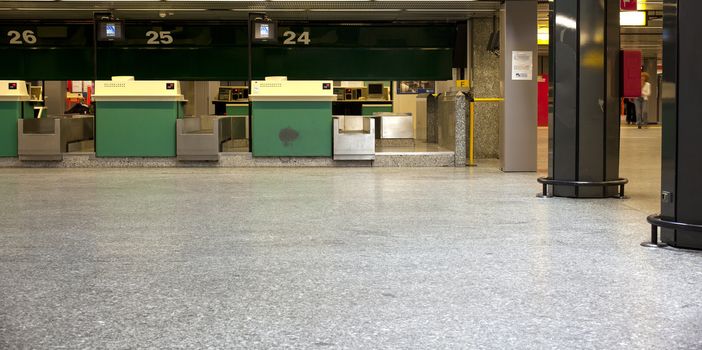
{"x": 330, "y": 258}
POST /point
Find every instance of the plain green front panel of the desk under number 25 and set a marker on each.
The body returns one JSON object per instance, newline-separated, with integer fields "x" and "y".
{"x": 136, "y": 129}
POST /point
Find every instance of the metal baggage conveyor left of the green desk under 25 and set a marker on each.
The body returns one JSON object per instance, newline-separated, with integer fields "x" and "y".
{"x": 49, "y": 138}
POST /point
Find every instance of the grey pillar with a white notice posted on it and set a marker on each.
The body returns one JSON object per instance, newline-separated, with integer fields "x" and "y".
{"x": 518, "y": 112}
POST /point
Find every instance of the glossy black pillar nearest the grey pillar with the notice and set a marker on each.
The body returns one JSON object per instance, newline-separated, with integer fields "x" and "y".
{"x": 584, "y": 128}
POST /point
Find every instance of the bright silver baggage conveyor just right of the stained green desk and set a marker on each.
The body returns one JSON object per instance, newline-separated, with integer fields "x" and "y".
{"x": 354, "y": 138}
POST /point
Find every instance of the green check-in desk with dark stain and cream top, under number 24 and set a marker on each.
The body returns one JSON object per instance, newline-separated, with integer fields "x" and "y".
{"x": 291, "y": 118}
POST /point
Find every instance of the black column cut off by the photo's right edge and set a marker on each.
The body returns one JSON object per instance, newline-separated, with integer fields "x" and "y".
{"x": 682, "y": 121}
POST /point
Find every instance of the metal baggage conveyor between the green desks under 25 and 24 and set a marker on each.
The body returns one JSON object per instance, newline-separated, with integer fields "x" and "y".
{"x": 201, "y": 138}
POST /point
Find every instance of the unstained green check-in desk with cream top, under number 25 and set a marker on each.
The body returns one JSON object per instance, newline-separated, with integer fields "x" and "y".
{"x": 136, "y": 118}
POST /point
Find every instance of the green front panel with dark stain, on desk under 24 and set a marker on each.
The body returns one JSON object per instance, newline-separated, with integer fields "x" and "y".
{"x": 283, "y": 129}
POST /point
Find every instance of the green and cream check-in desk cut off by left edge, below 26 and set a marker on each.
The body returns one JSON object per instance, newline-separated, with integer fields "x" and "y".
{"x": 14, "y": 105}
